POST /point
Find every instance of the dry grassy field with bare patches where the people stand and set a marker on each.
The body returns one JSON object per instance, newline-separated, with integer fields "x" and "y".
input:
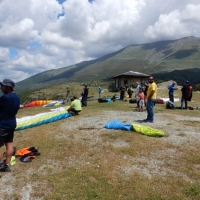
{"x": 82, "y": 160}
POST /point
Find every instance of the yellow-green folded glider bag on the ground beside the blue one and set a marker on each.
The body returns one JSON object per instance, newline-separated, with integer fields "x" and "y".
{"x": 146, "y": 130}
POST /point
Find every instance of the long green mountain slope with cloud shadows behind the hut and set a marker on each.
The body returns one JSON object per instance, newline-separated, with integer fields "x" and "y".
{"x": 159, "y": 58}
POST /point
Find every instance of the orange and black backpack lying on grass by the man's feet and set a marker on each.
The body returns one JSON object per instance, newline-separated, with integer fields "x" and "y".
{"x": 27, "y": 153}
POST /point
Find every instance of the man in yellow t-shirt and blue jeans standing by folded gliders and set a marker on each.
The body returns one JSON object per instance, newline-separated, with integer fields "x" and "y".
{"x": 151, "y": 99}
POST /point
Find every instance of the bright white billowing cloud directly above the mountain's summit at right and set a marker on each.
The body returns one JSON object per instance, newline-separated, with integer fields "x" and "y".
{"x": 175, "y": 24}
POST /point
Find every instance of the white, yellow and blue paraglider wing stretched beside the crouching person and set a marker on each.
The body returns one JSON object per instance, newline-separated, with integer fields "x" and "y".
{"x": 39, "y": 119}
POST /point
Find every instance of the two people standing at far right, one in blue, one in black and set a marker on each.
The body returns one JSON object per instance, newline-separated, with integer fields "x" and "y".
{"x": 186, "y": 91}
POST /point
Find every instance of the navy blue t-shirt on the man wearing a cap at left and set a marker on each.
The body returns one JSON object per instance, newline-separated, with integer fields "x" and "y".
{"x": 9, "y": 106}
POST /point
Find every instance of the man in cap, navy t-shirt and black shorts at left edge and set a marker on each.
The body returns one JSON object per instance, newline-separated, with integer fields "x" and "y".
{"x": 9, "y": 106}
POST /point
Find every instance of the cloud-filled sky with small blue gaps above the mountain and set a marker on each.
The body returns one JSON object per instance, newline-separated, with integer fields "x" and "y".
{"x": 40, "y": 35}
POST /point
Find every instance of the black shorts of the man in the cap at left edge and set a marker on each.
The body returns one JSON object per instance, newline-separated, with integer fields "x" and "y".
{"x": 6, "y": 136}
